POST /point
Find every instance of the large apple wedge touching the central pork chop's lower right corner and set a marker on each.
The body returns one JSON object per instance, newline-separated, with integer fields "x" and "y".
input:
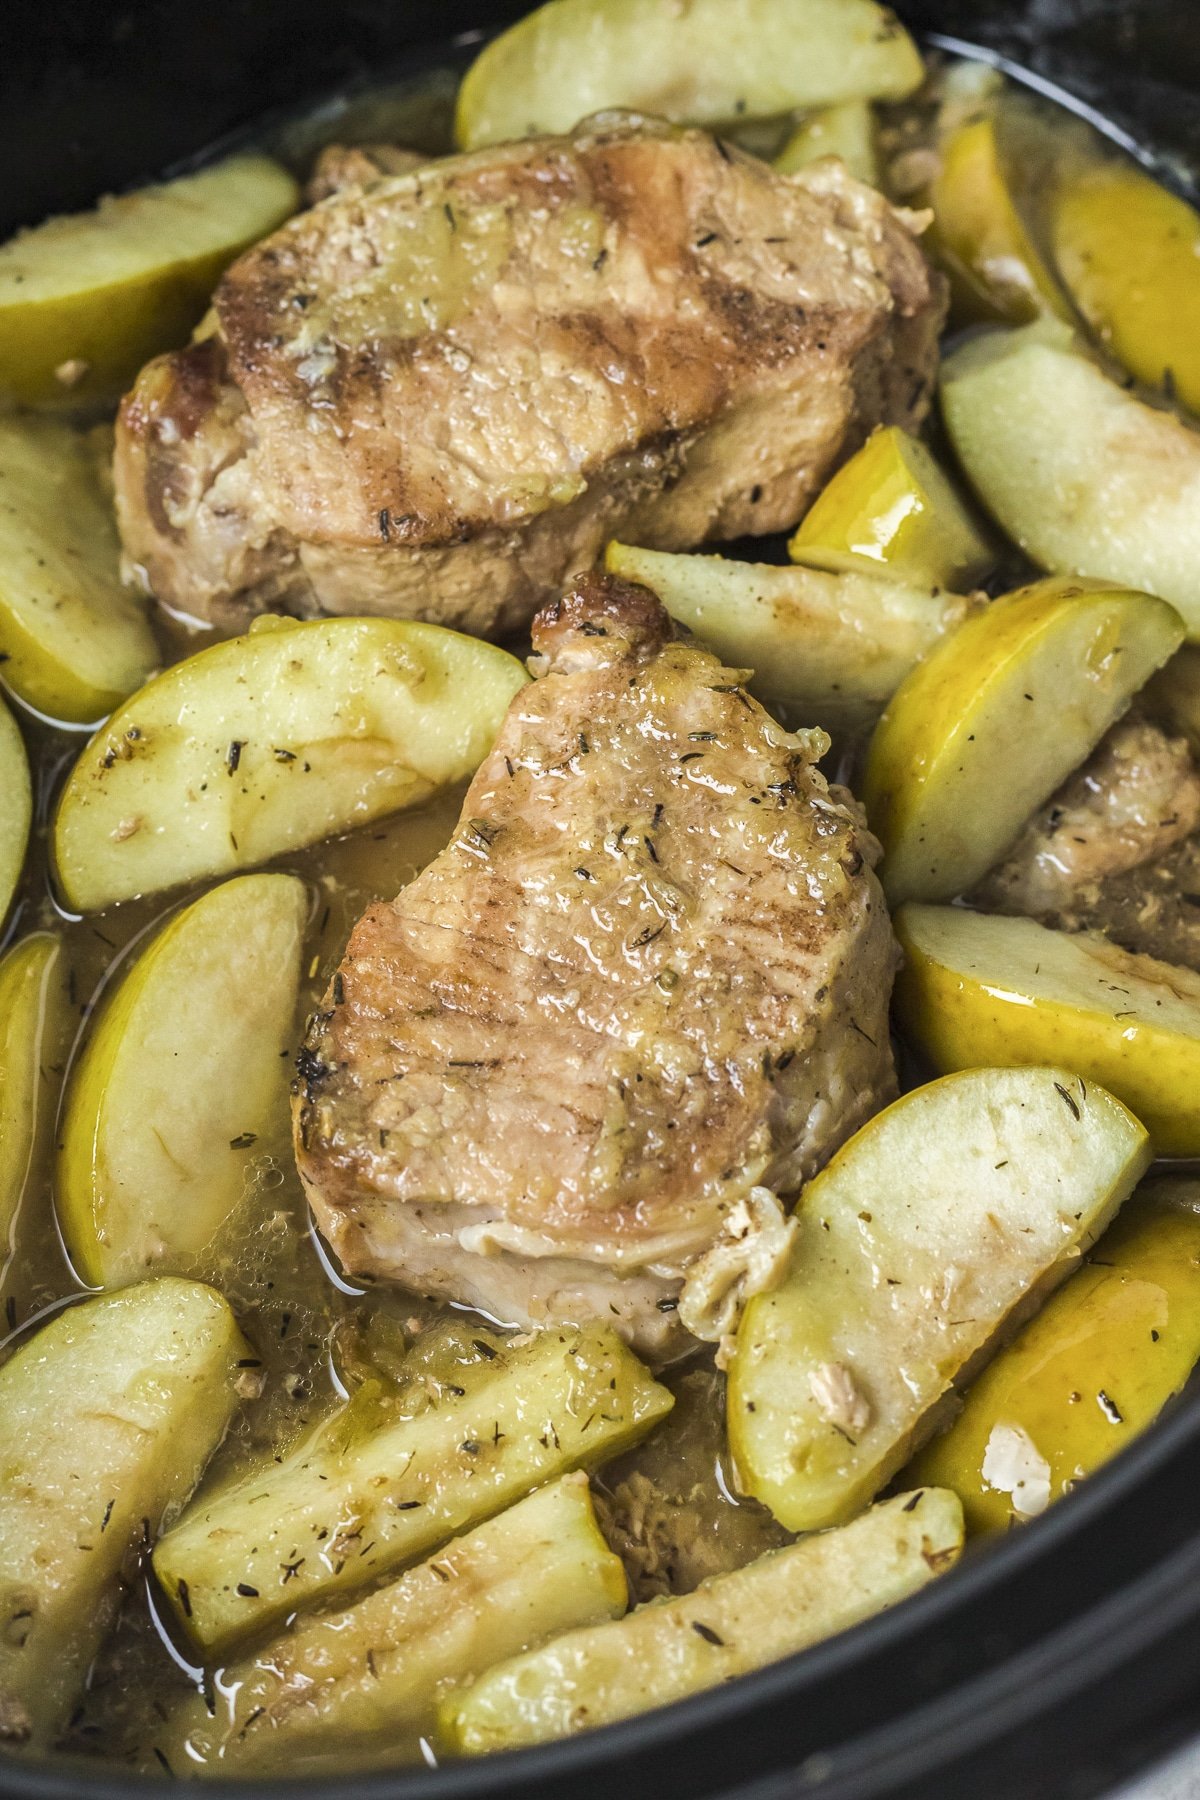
{"x": 929, "y": 1236}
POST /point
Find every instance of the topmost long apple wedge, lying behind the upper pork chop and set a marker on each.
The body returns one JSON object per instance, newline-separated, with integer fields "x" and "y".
{"x": 710, "y": 62}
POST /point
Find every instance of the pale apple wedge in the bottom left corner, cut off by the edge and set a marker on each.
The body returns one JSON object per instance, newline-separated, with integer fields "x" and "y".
{"x": 107, "y": 1421}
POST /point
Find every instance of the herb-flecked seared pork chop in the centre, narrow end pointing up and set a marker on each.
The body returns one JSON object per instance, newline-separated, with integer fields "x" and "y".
{"x": 641, "y": 994}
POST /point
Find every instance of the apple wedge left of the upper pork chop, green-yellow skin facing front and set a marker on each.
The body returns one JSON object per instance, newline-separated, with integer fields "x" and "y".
{"x": 87, "y": 300}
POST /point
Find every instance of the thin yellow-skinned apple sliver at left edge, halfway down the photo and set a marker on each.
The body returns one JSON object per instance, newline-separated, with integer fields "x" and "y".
{"x": 35, "y": 1038}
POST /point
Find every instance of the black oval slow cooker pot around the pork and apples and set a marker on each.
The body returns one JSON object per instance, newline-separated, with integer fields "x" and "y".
{"x": 1050, "y": 1668}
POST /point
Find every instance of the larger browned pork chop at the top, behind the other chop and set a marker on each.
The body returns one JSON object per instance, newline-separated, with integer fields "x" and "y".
{"x": 440, "y": 395}
